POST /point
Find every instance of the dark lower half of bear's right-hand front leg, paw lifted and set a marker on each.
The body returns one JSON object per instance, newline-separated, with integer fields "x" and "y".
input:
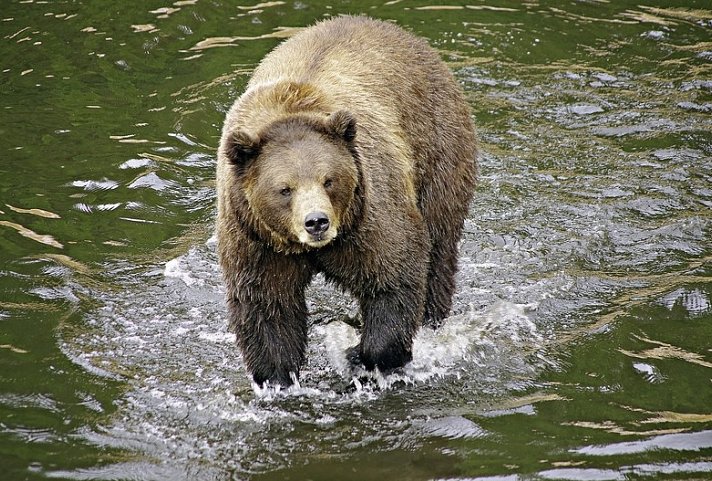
{"x": 390, "y": 320}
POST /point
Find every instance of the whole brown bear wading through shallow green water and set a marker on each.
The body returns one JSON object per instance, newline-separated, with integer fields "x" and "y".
{"x": 351, "y": 153}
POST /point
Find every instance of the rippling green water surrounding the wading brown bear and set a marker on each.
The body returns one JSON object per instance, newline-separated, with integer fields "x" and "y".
{"x": 580, "y": 341}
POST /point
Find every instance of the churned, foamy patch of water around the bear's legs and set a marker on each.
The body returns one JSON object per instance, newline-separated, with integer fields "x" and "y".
{"x": 188, "y": 389}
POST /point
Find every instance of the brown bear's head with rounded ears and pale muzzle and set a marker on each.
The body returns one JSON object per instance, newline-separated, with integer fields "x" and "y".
{"x": 299, "y": 177}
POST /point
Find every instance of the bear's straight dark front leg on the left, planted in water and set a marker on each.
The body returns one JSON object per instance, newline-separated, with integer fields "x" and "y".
{"x": 268, "y": 314}
